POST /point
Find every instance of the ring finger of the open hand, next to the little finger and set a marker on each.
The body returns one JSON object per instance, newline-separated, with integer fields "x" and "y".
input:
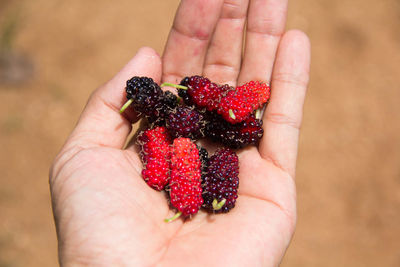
{"x": 265, "y": 26}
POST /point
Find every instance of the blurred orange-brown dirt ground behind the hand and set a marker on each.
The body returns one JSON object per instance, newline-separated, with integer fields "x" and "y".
{"x": 53, "y": 53}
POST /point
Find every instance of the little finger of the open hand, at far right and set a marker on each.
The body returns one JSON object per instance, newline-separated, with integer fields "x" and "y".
{"x": 283, "y": 115}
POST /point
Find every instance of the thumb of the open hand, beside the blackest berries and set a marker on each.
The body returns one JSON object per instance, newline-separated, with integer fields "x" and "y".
{"x": 101, "y": 124}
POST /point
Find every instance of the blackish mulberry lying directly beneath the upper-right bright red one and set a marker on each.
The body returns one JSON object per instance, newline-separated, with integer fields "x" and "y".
{"x": 238, "y": 135}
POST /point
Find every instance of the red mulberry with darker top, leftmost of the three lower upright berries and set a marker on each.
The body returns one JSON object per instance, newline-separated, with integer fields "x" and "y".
{"x": 155, "y": 155}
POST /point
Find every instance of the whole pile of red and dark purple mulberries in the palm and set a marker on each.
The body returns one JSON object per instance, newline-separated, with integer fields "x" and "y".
{"x": 172, "y": 161}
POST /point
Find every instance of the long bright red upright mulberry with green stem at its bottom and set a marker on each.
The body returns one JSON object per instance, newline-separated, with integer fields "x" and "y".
{"x": 185, "y": 183}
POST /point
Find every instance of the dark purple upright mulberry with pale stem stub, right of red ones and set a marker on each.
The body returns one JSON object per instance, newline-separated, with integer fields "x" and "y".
{"x": 221, "y": 181}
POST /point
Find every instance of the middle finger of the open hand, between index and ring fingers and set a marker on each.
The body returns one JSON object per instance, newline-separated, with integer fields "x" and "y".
{"x": 224, "y": 55}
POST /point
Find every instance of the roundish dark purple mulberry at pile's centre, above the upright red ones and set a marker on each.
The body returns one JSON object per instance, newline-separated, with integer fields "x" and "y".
{"x": 185, "y": 122}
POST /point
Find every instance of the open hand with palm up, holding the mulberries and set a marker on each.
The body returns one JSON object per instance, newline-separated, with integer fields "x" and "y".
{"x": 105, "y": 213}
